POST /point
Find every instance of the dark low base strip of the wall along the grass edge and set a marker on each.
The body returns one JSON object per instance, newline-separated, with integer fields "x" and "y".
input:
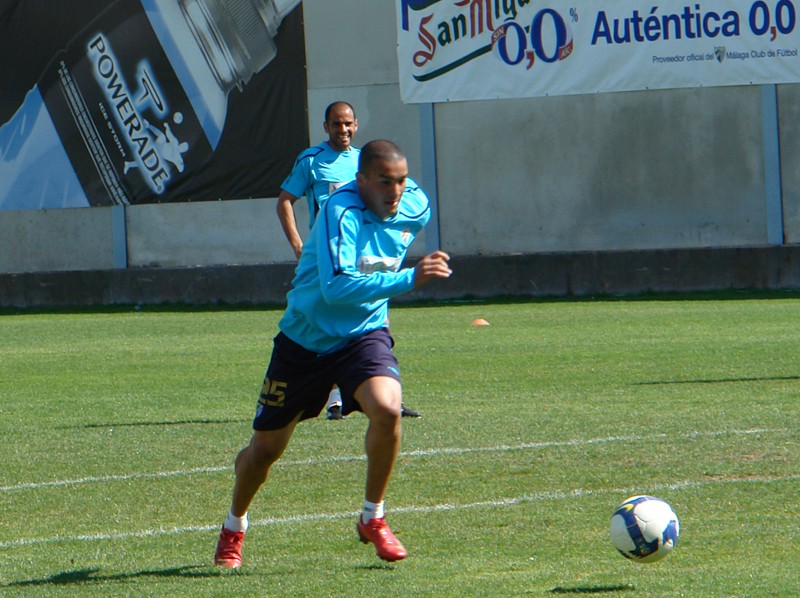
{"x": 533, "y": 275}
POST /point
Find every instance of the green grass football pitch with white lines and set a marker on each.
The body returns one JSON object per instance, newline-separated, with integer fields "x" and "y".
{"x": 119, "y": 428}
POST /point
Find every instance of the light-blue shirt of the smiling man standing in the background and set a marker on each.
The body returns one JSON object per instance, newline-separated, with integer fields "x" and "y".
{"x": 318, "y": 172}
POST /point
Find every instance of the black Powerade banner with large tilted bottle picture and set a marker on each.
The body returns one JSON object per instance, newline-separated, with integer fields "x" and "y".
{"x": 144, "y": 101}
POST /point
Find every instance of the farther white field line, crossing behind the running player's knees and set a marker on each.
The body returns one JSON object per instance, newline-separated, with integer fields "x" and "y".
{"x": 419, "y": 453}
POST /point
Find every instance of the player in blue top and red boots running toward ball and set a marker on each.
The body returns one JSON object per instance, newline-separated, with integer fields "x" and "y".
{"x": 334, "y": 331}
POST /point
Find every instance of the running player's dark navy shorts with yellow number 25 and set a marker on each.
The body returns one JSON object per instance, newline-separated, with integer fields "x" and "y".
{"x": 299, "y": 380}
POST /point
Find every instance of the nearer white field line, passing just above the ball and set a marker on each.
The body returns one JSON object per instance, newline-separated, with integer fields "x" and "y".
{"x": 488, "y": 504}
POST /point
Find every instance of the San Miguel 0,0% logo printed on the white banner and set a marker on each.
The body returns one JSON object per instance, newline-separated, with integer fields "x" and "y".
{"x": 452, "y": 33}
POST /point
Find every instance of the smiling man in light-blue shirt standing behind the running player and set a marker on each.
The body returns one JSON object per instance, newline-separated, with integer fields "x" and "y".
{"x": 318, "y": 172}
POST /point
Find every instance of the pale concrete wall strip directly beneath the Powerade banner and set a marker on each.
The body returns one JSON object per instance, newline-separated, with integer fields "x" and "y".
{"x": 157, "y": 235}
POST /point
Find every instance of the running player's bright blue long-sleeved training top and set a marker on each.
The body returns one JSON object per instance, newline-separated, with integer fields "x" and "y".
{"x": 350, "y": 267}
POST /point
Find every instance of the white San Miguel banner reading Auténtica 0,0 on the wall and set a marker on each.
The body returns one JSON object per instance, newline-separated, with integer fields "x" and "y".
{"x": 453, "y": 50}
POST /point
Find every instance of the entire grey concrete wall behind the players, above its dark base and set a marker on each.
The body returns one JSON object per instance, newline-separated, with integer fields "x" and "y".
{"x": 643, "y": 171}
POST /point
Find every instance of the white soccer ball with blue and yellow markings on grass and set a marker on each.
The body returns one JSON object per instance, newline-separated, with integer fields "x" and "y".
{"x": 644, "y": 529}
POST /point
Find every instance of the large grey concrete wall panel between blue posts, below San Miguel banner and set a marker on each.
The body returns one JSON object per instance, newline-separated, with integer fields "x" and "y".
{"x": 661, "y": 169}
